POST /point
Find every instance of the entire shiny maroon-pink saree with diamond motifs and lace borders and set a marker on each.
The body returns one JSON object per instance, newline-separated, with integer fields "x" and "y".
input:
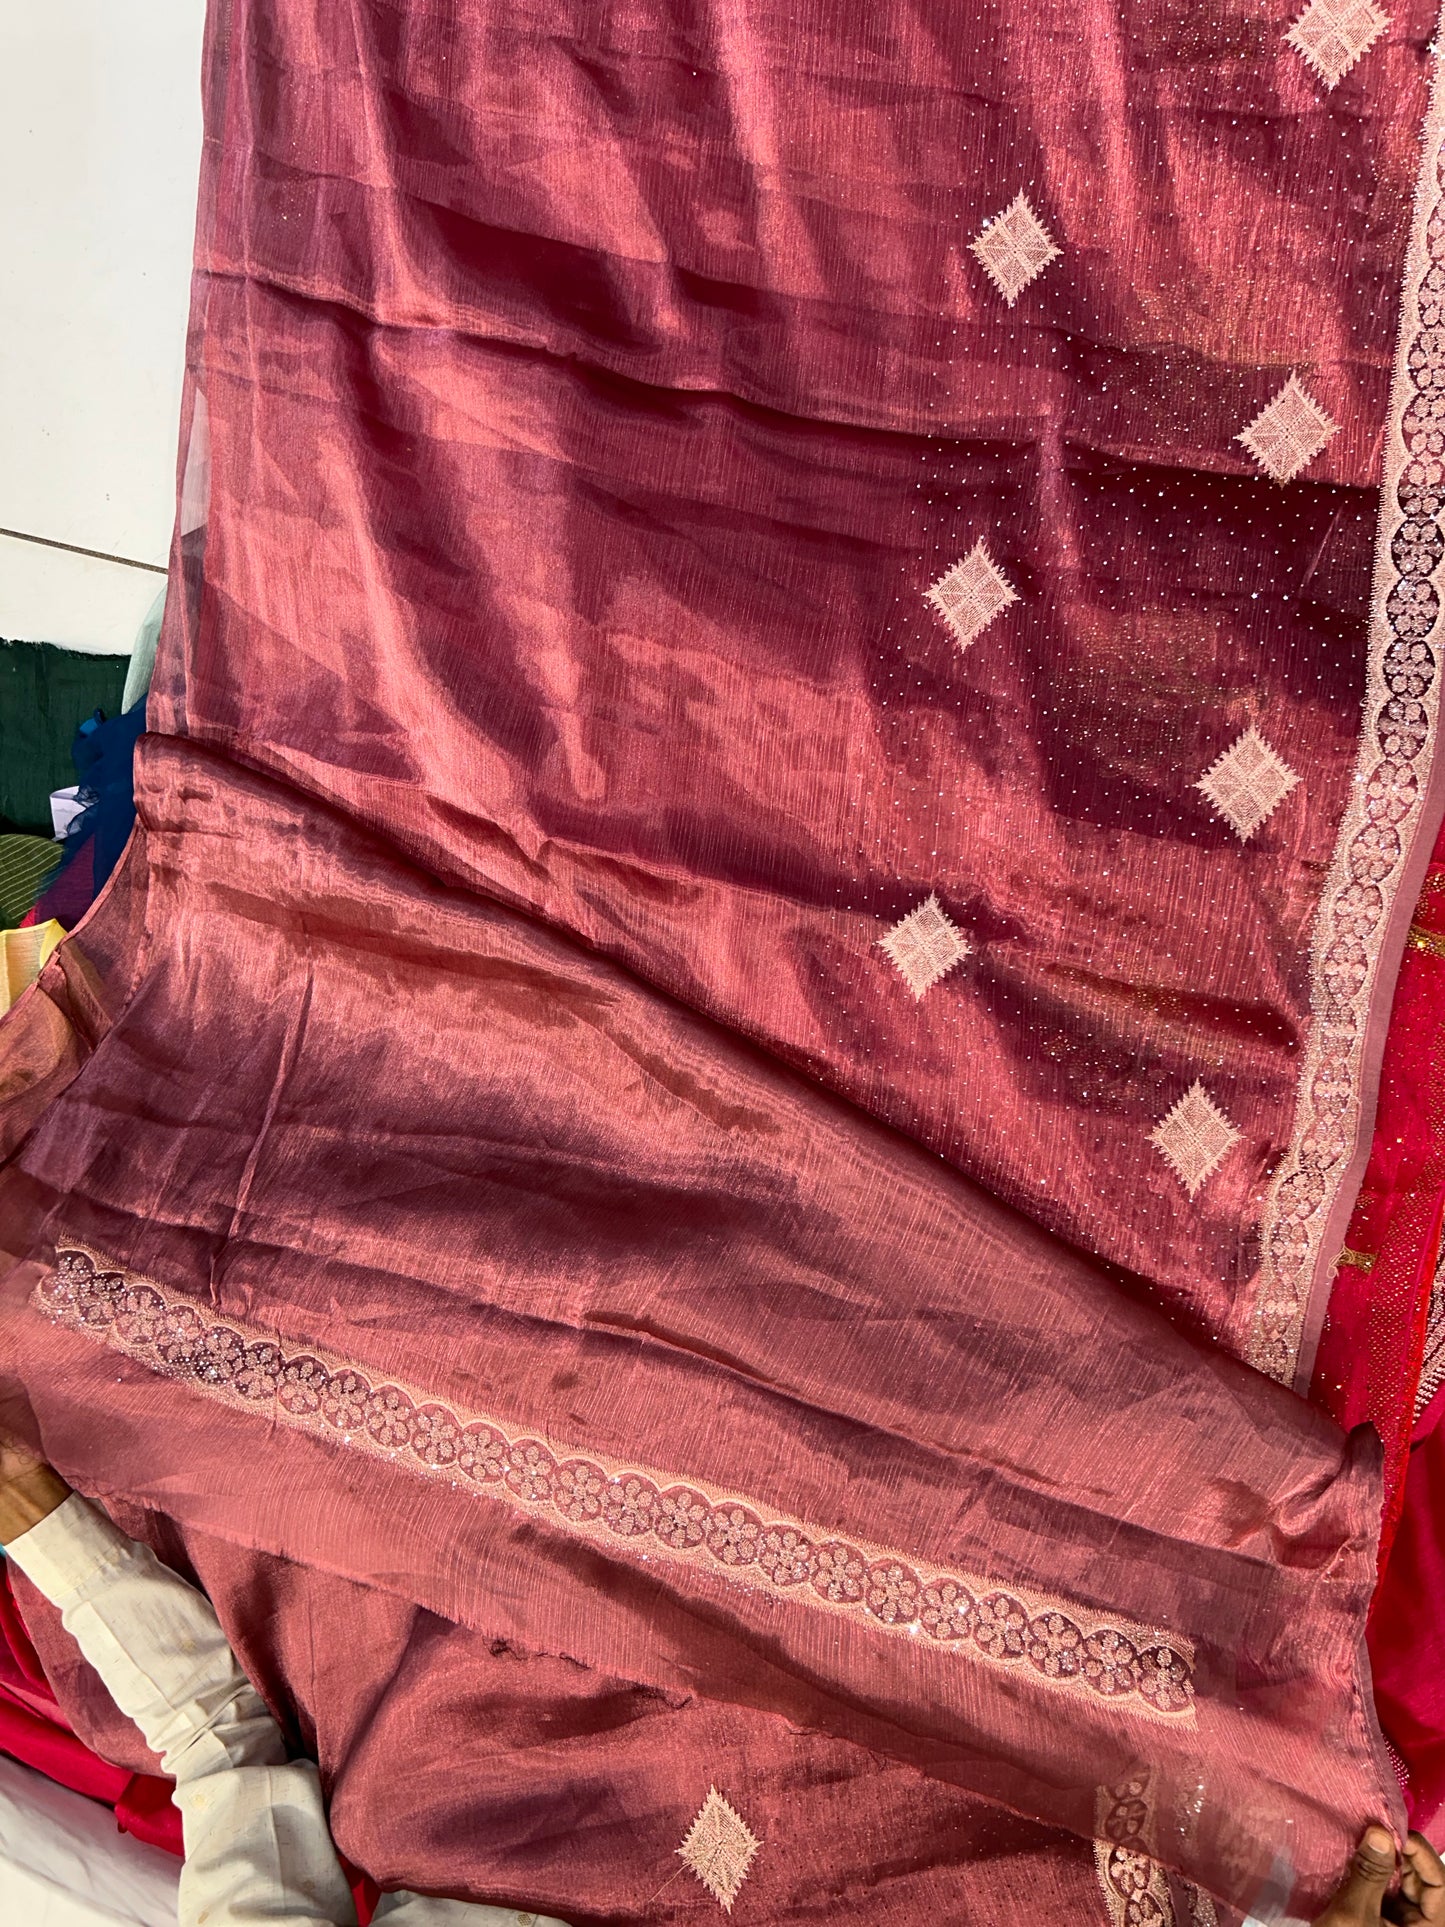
{"x": 704, "y": 1134}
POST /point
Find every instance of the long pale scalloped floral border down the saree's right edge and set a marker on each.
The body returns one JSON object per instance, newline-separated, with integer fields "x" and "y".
{"x": 1392, "y": 774}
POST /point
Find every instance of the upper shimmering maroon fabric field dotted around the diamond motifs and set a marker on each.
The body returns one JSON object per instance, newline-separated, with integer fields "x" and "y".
{"x": 589, "y": 411}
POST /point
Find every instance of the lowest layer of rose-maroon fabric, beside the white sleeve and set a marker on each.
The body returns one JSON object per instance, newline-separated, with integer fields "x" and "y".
{"x": 554, "y": 1758}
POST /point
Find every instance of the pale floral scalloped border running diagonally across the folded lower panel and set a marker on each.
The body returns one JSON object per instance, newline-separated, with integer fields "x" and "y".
{"x": 1136, "y": 1670}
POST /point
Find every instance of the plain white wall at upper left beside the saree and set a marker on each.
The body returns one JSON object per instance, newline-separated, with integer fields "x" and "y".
{"x": 99, "y": 157}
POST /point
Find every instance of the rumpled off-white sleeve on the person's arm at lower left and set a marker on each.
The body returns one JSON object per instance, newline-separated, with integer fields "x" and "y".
{"x": 257, "y": 1845}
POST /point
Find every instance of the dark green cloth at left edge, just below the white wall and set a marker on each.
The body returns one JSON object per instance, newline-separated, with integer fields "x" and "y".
{"x": 45, "y": 695}
